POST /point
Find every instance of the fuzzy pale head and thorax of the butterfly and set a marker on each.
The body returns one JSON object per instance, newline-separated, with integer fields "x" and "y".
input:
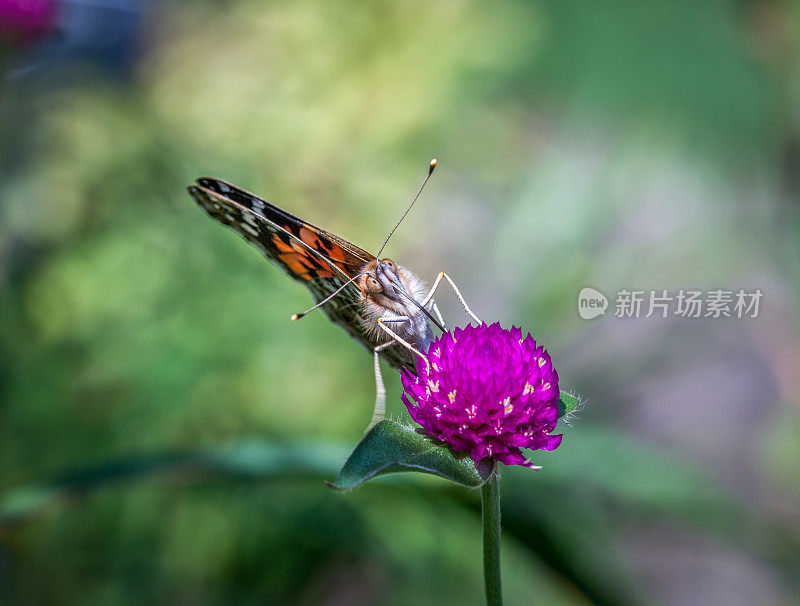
{"x": 390, "y": 292}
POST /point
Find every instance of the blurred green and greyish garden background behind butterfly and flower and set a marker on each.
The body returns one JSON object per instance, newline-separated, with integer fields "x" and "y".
{"x": 165, "y": 430}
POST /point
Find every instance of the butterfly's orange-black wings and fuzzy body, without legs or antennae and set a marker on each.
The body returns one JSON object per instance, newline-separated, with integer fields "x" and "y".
{"x": 325, "y": 263}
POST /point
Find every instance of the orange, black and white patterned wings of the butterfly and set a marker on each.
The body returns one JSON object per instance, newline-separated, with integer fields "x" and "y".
{"x": 322, "y": 261}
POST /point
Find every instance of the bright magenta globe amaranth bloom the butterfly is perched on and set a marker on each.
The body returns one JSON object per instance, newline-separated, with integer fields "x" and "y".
{"x": 486, "y": 391}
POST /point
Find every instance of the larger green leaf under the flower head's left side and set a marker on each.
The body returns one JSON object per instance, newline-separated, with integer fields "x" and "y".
{"x": 390, "y": 447}
